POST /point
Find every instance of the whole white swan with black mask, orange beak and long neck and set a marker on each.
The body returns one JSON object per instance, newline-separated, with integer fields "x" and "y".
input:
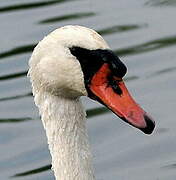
{"x": 70, "y": 62}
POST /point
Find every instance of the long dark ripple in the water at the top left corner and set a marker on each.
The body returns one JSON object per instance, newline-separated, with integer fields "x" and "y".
{"x": 23, "y": 6}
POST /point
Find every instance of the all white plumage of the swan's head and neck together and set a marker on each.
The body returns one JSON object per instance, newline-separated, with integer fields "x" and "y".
{"x": 57, "y": 83}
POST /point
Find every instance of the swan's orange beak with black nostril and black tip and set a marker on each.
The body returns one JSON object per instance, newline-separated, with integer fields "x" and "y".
{"x": 117, "y": 98}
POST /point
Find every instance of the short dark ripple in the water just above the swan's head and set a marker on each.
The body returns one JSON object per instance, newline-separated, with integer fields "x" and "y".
{"x": 67, "y": 17}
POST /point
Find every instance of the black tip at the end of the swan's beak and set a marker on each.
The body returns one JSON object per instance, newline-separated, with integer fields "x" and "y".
{"x": 150, "y": 125}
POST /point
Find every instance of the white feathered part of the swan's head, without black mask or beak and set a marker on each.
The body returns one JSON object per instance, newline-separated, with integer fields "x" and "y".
{"x": 54, "y": 68}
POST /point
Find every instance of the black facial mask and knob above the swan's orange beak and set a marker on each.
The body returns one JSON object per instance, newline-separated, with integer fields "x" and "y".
{"x": 92, "y": 60}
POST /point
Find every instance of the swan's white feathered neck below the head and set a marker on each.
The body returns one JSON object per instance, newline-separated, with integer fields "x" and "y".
{"x": 65, "y": 124}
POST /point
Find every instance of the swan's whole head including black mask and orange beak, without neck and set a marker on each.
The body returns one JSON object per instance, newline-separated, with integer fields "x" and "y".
{"x": 75, "y": 61}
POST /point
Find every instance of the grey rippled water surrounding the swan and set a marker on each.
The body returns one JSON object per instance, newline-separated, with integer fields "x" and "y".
{"x": 143, "y": 33}
